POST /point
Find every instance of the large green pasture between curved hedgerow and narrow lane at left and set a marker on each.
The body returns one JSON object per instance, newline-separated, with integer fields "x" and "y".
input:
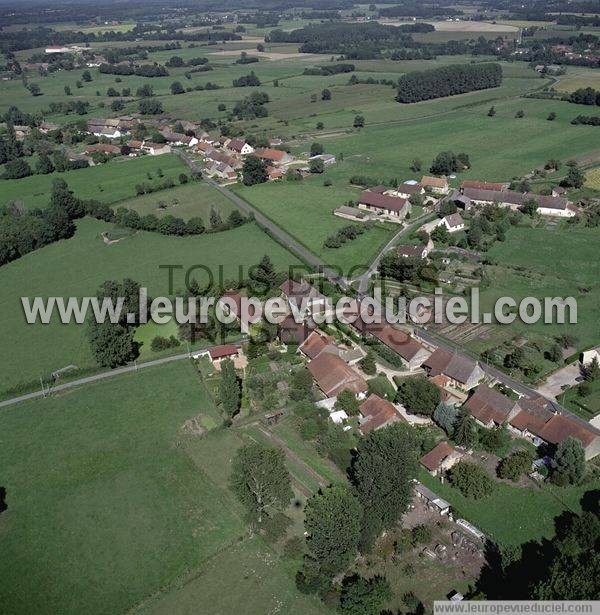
{"x": 77, "y": 266}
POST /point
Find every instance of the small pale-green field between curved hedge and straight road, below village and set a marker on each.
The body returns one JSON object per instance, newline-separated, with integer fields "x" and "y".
{"x": 186, "y": 201}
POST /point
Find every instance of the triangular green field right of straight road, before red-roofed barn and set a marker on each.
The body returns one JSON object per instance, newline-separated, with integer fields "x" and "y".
{"x": 305, "y": 210}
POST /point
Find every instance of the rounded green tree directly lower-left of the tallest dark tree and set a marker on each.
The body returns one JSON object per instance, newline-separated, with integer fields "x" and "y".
{"x": 332, "y": 522}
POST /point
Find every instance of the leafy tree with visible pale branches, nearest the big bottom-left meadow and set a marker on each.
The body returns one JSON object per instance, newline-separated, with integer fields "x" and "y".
{"x": 260, "y": 480}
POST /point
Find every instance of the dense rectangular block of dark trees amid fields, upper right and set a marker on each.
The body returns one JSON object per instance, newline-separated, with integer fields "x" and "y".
{"x": 448, "y": 81}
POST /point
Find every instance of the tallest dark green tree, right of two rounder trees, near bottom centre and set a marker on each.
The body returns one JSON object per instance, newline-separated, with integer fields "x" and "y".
{"x": 383, "y": 470}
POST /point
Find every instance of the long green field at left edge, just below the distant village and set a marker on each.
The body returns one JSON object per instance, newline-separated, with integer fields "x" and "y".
{"x": 108, "y": 183}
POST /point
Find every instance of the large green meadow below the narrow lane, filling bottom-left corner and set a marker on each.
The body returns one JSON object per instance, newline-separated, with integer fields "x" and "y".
{"x": 111, "y": 505}
